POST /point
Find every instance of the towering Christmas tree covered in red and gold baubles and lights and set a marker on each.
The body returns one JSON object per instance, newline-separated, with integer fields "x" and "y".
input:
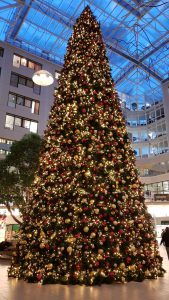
{"x": 87, "y": 222}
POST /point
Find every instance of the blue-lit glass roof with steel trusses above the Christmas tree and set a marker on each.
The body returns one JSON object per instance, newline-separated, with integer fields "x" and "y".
{"x": 136, "y": 34}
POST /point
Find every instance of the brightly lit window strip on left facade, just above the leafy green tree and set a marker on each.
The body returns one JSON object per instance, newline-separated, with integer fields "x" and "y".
{"x": 21, "y": 122}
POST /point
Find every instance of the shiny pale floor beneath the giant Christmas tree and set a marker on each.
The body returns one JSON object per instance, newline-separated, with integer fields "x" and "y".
{"x": 12, "y": 289}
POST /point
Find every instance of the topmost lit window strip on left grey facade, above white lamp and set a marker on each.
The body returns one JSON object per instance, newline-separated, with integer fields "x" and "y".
{"x": 19, "y": 60}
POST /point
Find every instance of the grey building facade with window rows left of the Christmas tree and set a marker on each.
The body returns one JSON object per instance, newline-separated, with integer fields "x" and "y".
{"x": 24, "y": 106}
